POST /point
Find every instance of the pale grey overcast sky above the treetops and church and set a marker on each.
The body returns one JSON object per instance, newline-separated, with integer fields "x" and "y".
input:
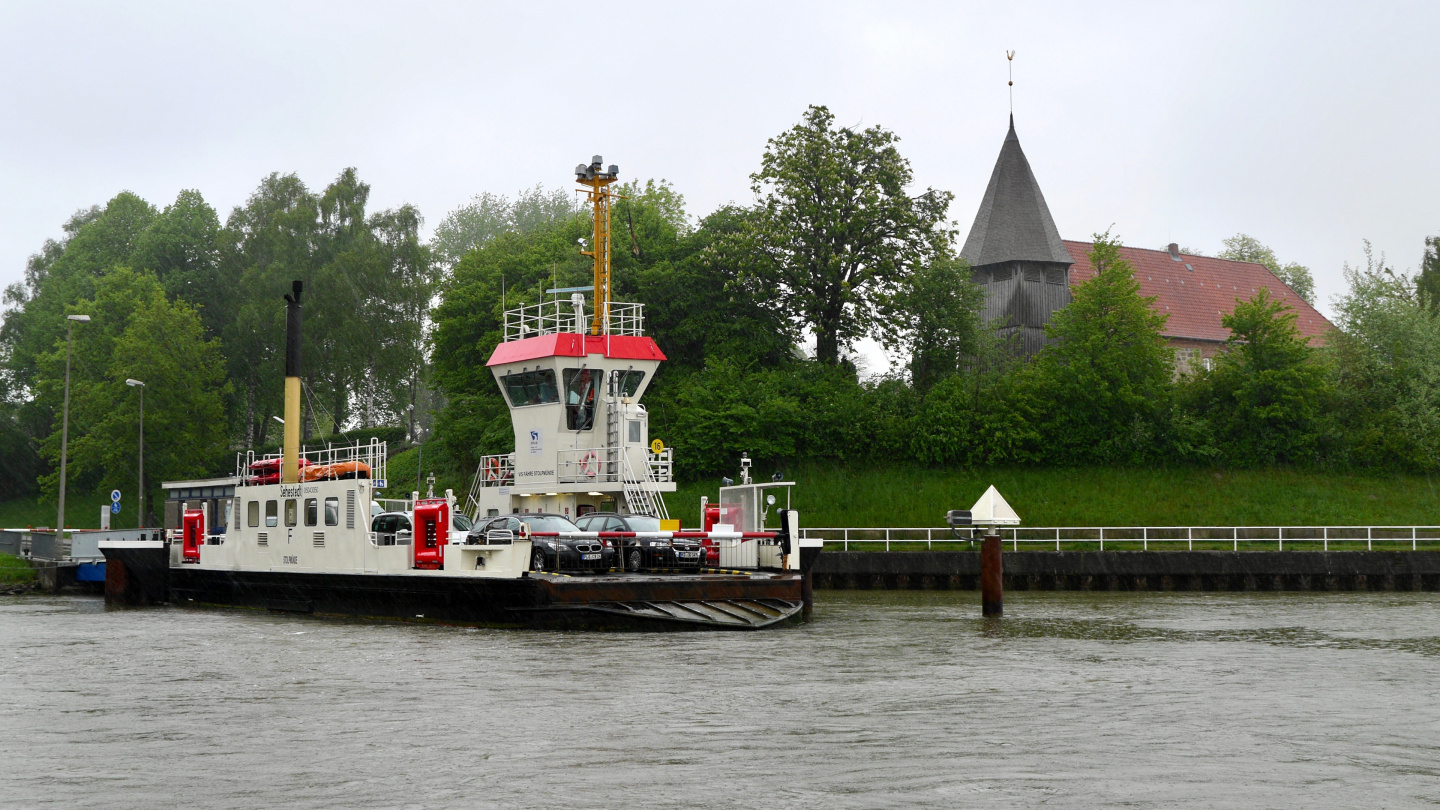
{"x": 1311, "y": 126}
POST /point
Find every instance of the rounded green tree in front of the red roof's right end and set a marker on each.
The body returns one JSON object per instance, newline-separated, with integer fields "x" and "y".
{"x": 1269, "y": 391}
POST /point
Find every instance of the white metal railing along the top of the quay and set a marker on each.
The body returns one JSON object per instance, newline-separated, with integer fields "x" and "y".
{"x": 1164, "y": 538}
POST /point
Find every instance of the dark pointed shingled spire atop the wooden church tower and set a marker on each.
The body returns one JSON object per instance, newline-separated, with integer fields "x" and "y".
{"x": 1014, "y": 223}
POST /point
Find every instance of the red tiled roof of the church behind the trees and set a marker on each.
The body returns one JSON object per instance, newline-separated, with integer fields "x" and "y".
{"x": 1197, "y": 296}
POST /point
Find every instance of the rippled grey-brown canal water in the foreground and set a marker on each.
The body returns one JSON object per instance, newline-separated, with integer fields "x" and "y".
{"x": 891, "y": 700}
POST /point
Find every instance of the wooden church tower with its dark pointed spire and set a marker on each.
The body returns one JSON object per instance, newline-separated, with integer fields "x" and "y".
{"x": 1016, "y": 253}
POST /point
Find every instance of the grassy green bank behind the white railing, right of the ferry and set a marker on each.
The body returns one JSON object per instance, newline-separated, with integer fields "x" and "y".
{"x": 830, "y": 495}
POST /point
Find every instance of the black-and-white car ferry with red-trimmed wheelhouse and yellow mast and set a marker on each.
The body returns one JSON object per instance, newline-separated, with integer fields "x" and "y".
{"x": 293, "y": 533}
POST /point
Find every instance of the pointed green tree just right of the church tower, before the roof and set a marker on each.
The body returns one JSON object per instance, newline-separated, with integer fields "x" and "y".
{"x": 1105, "y": 381}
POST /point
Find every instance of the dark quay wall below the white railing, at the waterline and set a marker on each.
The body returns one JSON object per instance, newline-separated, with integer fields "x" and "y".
{"x": 1138, "y": 571}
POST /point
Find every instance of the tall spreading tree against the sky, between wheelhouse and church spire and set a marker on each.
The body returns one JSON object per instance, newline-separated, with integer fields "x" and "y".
{"x": 836, "y": 236}
